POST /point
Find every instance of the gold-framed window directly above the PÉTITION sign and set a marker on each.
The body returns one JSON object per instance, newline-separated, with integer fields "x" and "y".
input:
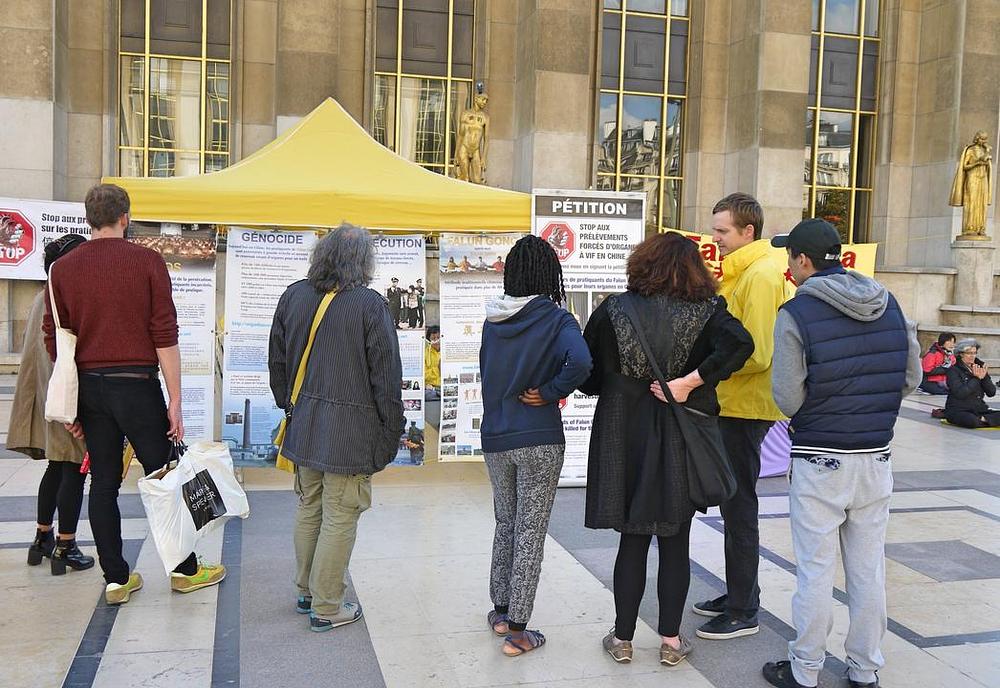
{"x": 643, "y": 88}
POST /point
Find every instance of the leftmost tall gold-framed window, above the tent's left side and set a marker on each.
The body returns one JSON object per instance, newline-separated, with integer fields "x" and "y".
{"x": 173, "y": 87}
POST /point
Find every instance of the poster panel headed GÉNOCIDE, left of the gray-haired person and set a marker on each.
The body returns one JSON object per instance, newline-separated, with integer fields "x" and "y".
{"x": 260, "y": 265}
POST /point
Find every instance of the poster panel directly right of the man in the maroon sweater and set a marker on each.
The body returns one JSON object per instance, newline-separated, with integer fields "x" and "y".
{"x": 190, "y": 256}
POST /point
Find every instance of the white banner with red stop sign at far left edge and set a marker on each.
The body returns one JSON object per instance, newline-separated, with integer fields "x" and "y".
{"x": 26, "y": 226}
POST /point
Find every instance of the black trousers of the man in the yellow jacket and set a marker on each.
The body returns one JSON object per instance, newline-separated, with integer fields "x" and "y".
{"x": 743, "y": 439}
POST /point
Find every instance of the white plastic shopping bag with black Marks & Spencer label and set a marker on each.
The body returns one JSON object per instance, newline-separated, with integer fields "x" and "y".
{"x": 188, "y": 501}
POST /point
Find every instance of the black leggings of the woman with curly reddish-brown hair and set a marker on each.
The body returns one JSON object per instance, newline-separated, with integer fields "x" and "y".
{"x": 672, "y": 581}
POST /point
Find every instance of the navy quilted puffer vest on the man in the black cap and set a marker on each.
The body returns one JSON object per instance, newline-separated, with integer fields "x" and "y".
{"x": 855, "y": 380}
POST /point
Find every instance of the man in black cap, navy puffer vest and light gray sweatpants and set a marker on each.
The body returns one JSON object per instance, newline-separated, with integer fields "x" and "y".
{"x": 846, "y": 334}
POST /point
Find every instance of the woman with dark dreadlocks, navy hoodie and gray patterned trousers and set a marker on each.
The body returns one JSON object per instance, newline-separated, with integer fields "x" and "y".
{"x": 532, "y": 355}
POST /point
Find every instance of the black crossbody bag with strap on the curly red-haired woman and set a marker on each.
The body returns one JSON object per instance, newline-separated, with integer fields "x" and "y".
{"x": 710, "y": 477}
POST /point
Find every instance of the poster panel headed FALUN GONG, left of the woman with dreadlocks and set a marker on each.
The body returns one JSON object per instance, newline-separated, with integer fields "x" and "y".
{"x": 471, "y": 267}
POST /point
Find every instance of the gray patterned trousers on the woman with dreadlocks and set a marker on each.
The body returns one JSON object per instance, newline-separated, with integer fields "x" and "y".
{"x": 524, "y": 487}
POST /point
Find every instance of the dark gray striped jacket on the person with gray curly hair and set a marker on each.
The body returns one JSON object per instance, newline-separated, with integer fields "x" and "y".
{"x": 349, "y": 415}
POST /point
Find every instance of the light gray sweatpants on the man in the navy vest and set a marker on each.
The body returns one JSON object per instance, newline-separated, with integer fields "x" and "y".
{"x": 845, "y": 497}
